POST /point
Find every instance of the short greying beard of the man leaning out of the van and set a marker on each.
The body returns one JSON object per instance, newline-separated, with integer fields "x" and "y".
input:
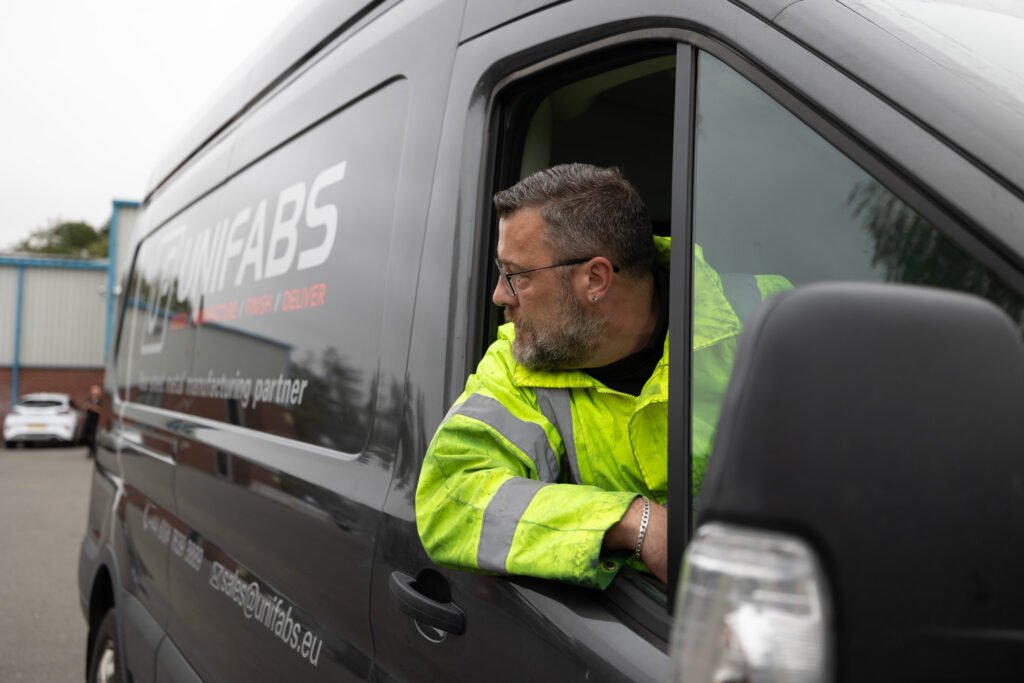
{"x": 567, "y": 345}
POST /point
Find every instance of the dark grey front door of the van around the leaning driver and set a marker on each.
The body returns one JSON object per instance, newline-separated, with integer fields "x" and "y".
{"x": 767, "y": 194}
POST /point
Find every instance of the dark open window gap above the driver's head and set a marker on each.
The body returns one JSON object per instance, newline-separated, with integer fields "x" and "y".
{"x": 612, "y": 112}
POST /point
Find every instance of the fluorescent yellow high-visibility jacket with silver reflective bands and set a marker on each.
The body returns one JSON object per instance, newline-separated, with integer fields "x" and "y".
{"x": 530, "y": 469}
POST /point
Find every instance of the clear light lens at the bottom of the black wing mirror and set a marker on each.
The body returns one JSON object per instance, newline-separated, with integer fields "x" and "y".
{"x": 753, "y": 608}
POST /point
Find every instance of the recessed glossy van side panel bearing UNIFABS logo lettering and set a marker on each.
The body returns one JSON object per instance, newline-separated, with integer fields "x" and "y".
{"x": 251, "y": 307}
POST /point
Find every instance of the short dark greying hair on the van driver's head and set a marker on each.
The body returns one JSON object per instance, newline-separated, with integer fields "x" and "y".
{"x": 589, "y": 211}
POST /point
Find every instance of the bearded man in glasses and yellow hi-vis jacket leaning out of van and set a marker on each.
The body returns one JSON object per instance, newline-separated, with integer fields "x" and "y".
{"x": 553, "y": 461}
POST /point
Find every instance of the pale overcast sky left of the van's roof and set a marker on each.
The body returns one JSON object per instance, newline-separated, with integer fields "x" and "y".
{"x": 93, "y": 93}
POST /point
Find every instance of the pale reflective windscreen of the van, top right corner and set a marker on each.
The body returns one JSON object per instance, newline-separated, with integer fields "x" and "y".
{"x": 957, "y": 65}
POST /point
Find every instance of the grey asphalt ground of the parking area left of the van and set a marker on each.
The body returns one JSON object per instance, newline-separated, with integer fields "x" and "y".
{"x": 44, "y": 499}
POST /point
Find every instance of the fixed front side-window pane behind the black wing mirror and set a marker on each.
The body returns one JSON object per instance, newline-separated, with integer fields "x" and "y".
{"x": 771, "y": 196}
